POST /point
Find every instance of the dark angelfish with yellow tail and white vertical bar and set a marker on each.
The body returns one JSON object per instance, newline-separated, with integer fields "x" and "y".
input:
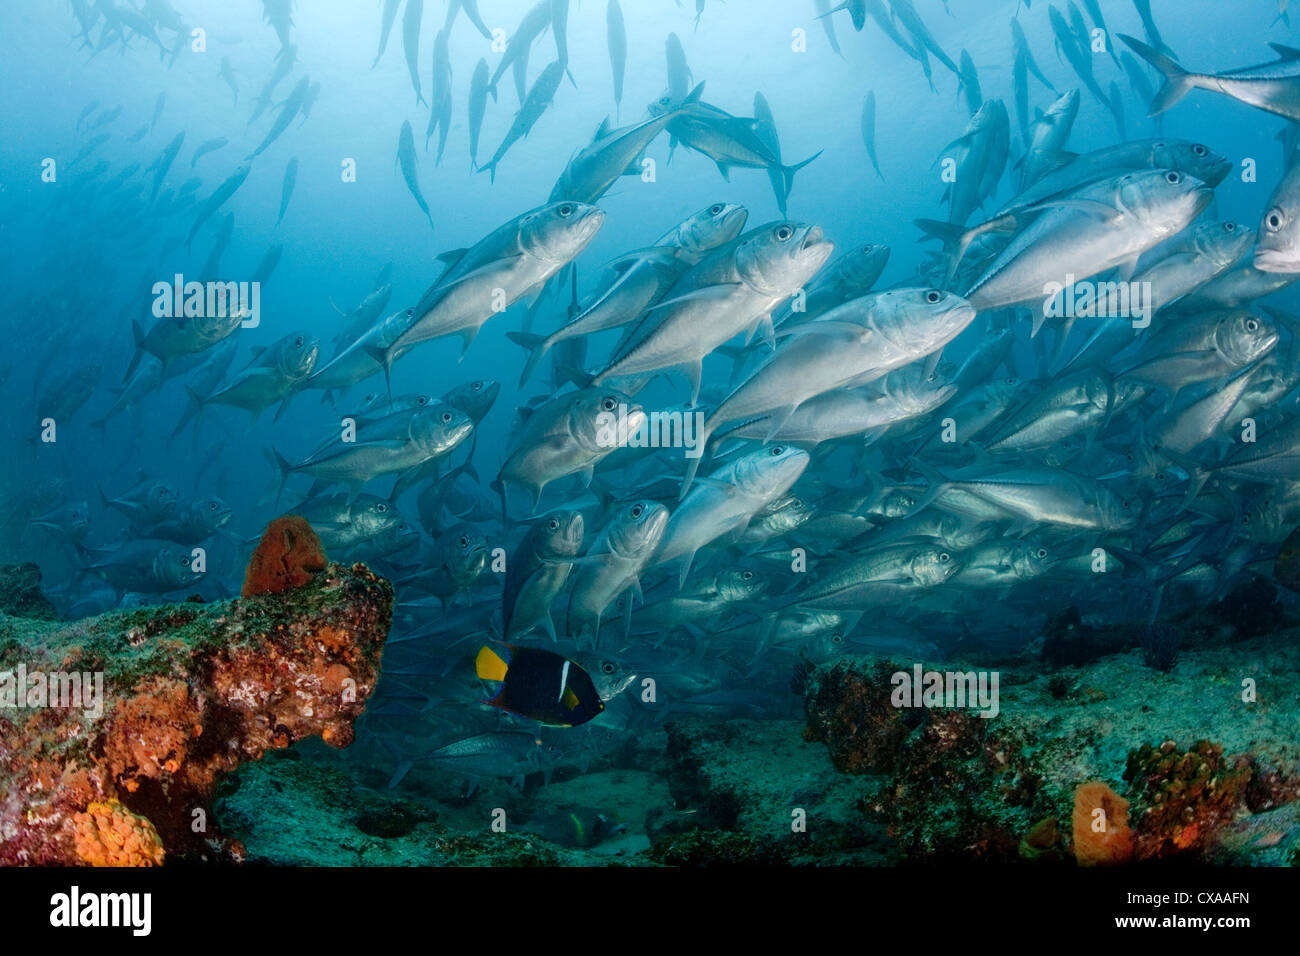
{"x": 540, "y": 685}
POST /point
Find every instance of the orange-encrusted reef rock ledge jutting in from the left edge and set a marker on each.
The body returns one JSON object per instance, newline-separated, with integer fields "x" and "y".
{"x": 188, "y": 694}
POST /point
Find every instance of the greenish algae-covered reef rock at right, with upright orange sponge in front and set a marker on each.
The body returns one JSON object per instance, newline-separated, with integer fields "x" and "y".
{"x": 1024, "y": 785}
